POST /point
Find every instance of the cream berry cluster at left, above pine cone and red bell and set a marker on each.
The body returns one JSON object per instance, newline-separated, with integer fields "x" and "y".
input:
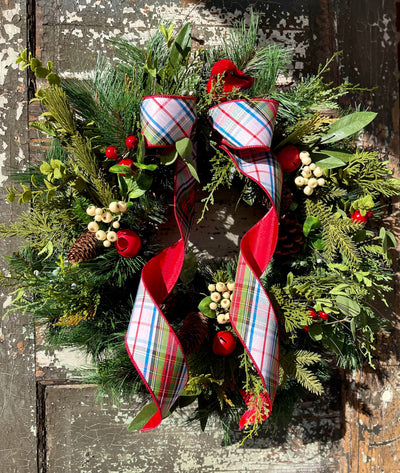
{"x": 112, "y": 214}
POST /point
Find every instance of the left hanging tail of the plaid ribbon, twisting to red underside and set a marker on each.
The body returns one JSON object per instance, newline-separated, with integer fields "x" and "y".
{"x": 150, "y": 341}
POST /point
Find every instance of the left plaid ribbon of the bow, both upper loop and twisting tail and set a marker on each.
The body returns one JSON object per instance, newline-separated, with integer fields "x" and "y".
{"x": 151, "y": 343}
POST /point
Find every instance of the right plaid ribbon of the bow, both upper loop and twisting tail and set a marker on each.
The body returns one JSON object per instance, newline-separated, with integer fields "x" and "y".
{"x": 246, "y": 128}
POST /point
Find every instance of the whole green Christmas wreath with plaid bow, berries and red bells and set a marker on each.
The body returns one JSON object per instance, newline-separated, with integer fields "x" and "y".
{"x": 128, "y": 147}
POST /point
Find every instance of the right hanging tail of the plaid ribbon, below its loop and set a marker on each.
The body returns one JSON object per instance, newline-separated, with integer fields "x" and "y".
{"x": 252, "y": 314}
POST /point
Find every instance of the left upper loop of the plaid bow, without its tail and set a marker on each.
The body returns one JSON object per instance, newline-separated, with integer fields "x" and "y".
{"x": 166, "y": 119}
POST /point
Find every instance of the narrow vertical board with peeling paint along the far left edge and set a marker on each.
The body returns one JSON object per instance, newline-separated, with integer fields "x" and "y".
{"x": 17, "y": 382}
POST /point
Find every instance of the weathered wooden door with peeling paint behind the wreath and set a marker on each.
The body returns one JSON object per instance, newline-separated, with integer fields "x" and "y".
{"x": 50, "y": 423}
